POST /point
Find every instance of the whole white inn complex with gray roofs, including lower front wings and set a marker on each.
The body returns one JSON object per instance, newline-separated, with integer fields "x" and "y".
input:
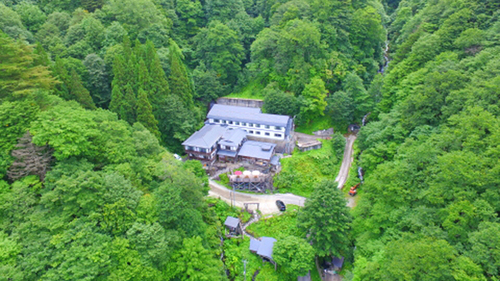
{"x": 226, "y": 130}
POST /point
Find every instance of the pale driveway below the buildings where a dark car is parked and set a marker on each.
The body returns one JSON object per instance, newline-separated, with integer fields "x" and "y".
{"x": 267, "y": 202}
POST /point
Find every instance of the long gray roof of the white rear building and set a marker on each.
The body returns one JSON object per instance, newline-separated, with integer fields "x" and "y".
{"x": 246, "y": 114}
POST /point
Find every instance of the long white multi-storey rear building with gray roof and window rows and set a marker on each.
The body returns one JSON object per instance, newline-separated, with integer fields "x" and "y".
{"x": 252, "y": 120}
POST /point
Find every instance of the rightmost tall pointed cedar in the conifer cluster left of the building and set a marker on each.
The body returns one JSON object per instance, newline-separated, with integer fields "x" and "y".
{"x": 179, "y": 80}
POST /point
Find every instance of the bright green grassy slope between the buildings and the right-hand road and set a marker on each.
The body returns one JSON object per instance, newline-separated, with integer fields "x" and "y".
{"x": 303, "y": 170}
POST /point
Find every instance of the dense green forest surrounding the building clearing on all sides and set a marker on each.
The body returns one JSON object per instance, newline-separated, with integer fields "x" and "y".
{"x": 96, "y": 94}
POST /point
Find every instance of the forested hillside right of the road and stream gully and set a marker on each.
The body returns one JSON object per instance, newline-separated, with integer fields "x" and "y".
{"x": 430, "y": 206}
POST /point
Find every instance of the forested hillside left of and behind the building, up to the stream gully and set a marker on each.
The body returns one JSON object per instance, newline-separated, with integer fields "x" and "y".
{"x": 92, "y": 92}
